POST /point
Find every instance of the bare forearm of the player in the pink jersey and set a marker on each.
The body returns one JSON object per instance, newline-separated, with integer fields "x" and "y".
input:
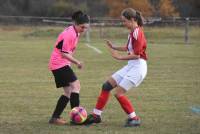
{"x": 72, "y": 59}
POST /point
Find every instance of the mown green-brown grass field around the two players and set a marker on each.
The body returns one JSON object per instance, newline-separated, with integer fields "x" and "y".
{"x": 163, "y": 101}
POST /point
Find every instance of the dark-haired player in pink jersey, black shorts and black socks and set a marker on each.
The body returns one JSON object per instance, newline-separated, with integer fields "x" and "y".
{"x": 60, "y": 62}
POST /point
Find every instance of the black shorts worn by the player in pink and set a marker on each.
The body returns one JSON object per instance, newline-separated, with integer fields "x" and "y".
{"x": 64, "y": 76}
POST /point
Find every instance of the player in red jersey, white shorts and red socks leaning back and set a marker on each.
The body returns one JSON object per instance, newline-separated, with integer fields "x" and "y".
{"x": 131, "y": 75}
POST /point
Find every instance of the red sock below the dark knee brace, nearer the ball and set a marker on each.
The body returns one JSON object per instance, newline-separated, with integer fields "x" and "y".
{"x": 102, "y": 99}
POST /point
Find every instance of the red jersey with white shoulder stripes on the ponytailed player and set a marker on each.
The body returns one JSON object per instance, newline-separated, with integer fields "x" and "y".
{"x": 137, "y": 43}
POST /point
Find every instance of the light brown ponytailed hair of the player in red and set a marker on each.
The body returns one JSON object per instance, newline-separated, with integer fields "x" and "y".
{"x": 130, "y": 13}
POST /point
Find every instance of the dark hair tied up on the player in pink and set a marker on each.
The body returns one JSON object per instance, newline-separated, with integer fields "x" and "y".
{"x": 80, "y": 18}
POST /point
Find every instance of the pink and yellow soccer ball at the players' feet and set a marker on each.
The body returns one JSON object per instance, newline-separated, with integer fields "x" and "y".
{"x": 78, "y": 115}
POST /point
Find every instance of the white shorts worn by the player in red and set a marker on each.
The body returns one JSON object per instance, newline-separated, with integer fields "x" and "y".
{"x": 131, "y": 75}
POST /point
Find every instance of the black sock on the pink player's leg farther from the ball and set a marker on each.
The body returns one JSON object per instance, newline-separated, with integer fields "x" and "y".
{"x": 61, "y": 104}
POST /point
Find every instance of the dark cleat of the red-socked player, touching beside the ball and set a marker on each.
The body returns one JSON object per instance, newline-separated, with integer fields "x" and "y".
{"x": 92, "y": 118}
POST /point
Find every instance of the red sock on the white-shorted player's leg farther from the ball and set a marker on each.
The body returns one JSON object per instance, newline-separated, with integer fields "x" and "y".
{"x": 125, "y": 104}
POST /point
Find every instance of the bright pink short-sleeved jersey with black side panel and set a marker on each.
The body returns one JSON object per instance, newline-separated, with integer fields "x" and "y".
{"x": 66, "y": 43}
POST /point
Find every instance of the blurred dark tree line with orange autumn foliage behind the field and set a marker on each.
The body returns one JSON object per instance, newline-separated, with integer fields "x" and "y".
{"x": 99, "y": 8}
